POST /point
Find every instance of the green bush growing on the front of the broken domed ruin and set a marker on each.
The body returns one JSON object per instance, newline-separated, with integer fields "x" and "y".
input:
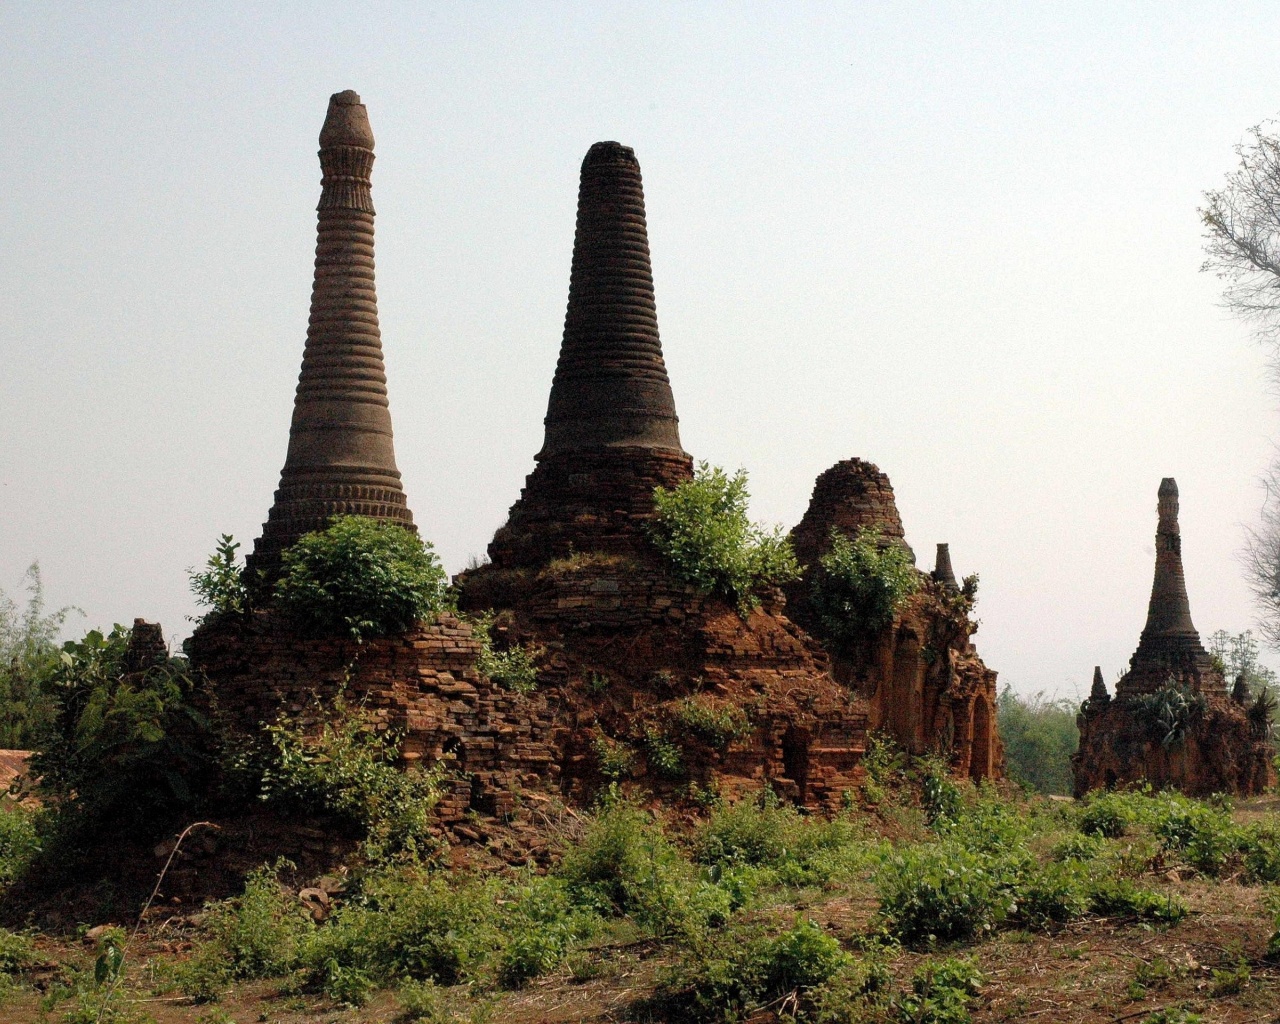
{"x": 860, "y": 586}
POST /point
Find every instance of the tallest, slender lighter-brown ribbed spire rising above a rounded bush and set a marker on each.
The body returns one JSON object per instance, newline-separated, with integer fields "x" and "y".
{"x": 341, "y": 459}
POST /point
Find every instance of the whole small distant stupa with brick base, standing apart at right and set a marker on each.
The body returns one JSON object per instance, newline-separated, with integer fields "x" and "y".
{"x": 1172, "y": 723}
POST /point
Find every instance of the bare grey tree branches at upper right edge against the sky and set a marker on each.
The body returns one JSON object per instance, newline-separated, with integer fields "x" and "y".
{"x": 1242, "y": 237}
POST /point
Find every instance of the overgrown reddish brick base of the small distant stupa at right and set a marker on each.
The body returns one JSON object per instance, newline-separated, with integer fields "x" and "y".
{"x": 1219, "y": 753}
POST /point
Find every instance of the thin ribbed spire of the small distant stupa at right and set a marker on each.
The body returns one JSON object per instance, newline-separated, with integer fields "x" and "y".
{"x": 1171, "y": 646}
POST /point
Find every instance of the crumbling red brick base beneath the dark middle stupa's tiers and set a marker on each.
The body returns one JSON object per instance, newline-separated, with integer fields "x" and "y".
{"x": 627, "y": 648}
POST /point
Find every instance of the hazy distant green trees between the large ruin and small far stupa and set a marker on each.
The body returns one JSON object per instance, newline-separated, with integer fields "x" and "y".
{"x": 1040, "y": 737}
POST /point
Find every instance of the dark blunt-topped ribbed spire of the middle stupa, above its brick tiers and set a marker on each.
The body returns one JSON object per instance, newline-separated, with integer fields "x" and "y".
{"x": 611, "y": 387}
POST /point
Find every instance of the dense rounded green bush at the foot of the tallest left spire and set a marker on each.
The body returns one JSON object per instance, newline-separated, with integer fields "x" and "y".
{"x": 362, "y": 577}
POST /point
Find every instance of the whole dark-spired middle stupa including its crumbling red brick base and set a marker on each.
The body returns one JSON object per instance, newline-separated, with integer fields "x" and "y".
{"x": 627, "y": 648}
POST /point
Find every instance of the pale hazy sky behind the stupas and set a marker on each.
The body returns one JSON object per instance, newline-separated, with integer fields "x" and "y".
{"x": 957, "y": 240}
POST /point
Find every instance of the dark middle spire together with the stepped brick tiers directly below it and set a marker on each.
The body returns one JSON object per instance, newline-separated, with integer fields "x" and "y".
{"x": 611, "y": 423}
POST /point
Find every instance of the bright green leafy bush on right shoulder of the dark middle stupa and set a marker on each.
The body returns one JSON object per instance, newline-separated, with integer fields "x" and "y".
{"x": 705, "y": 532}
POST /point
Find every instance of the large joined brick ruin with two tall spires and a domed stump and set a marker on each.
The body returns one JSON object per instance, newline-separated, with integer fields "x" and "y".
{"x": 629, "y": 657}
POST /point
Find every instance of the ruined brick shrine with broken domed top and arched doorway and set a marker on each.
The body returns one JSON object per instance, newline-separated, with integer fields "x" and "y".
{"x": 922, "y": 678}
